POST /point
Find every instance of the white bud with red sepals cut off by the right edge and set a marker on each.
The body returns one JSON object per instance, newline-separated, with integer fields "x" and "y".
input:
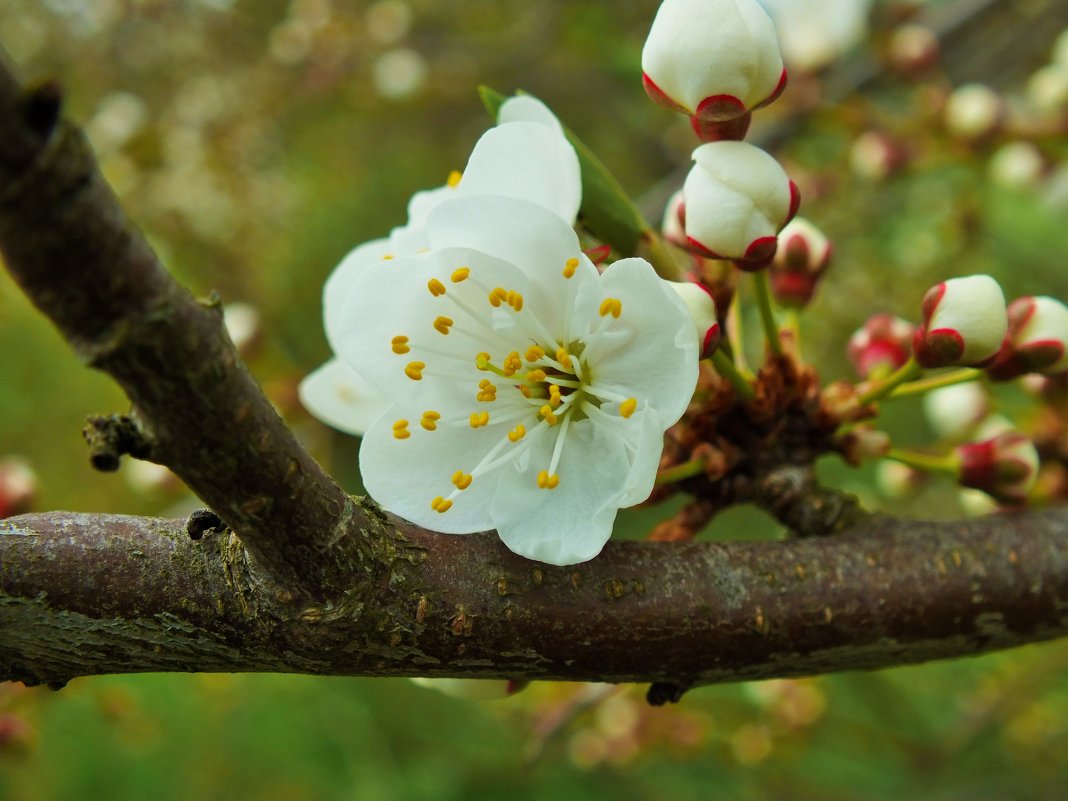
{"x": 1038, "y": 340}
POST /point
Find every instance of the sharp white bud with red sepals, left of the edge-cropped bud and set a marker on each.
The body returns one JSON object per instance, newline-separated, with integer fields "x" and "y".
{"x": 964, "y": 323}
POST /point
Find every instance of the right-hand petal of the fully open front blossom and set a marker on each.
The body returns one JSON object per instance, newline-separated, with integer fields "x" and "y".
{"x": 651, "y": 351}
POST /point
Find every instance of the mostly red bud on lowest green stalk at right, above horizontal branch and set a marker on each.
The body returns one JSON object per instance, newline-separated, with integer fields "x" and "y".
{"x": 1004, "y": 467}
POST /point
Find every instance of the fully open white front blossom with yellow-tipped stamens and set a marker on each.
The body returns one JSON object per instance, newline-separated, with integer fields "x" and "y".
{"x": 529, "y": 392}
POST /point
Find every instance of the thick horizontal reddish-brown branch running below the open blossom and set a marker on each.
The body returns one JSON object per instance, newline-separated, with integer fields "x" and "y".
{"x": 83, "y": 595}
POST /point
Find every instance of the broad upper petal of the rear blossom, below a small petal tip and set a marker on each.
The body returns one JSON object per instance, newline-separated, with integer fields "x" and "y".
{"x": 526, "y": 161}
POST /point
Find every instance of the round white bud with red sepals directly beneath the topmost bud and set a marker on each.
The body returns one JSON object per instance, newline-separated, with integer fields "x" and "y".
{"x": 737, "y": 199}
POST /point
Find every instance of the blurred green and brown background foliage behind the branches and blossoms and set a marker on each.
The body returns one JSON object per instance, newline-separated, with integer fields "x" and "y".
{"x": 258, "y": 143}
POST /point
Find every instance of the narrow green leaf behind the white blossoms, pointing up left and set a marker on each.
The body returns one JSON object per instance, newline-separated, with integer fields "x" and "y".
{"x": 607, "y": 210}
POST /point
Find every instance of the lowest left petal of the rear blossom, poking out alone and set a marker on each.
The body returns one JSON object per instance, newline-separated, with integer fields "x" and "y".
{"x": 341, "y": 398}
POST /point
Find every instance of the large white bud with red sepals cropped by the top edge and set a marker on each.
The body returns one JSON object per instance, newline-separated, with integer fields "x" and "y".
{"x": 715, "y": 60}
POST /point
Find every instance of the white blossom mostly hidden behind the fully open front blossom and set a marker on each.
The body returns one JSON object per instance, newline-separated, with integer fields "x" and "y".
{"x": 527, "y": 156}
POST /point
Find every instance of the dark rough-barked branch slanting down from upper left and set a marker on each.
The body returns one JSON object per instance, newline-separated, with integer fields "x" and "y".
{"x": 71, "y": 248}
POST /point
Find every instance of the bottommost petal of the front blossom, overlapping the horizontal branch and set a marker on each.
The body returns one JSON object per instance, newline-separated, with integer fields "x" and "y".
{"x": 571, "y": 524}
